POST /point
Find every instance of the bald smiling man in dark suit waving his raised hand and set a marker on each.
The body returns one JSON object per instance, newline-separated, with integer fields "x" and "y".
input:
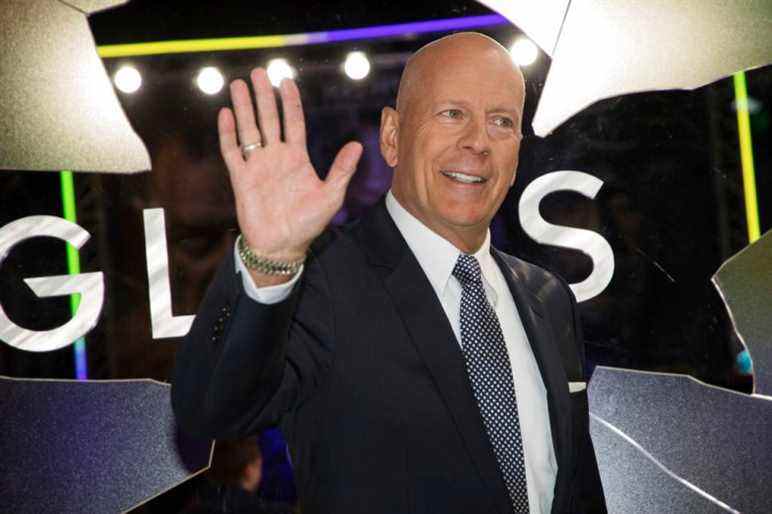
{"x": 412, "y": 367}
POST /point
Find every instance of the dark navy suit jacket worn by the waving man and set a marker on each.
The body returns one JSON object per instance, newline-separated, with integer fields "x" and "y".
{"x": 361, "y": 370}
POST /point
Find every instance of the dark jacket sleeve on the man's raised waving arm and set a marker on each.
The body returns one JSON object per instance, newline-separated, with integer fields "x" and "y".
{"x": 243, "y": 364}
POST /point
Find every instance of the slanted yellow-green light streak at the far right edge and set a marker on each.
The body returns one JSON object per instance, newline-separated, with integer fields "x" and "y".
{"x": 746, "y": 157}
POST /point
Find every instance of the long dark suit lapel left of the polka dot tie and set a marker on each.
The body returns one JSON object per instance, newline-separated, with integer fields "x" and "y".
{"x": 433, "y": 338}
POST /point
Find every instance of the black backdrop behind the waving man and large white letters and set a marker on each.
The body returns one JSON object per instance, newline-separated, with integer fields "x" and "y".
{"x": 671, "y": 207}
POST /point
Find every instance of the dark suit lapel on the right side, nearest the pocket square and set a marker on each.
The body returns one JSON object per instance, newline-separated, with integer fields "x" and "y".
{"x": 531, "y": 311}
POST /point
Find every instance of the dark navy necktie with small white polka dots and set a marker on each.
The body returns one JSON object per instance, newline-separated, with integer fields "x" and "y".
{"x": 490, "y": 374}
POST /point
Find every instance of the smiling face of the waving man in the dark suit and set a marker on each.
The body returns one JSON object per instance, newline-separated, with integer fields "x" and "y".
{"x": 457, "y": 140}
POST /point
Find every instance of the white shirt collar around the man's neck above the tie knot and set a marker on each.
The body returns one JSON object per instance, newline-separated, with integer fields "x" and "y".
{"x": 436, "y": 255}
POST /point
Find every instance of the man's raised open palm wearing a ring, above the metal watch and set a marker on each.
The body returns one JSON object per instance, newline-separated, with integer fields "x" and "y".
{"x": 281, "y": 203}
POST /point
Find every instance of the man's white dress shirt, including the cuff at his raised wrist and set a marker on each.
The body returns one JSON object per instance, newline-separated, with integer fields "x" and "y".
{"x": 437, "y": 257}
